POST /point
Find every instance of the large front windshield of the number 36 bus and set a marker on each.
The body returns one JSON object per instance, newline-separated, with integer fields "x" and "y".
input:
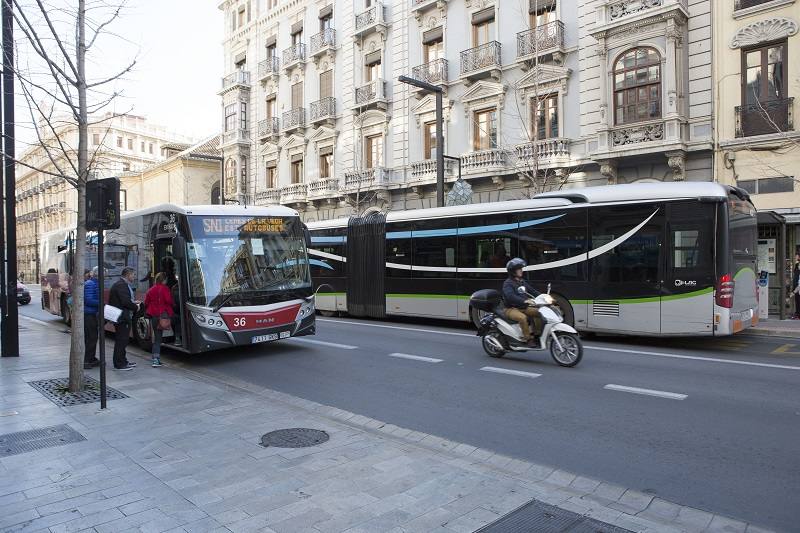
{"x": 233, "y": 257}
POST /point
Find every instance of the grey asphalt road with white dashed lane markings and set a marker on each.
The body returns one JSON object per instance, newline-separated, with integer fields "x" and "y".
{"x": 722, "y": 432}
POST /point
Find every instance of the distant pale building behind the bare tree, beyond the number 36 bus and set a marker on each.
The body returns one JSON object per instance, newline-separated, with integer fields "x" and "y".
{"x": 117, "y": 145}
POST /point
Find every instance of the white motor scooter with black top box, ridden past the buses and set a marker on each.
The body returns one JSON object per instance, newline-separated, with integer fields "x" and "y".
{"x": 500, "y": 336}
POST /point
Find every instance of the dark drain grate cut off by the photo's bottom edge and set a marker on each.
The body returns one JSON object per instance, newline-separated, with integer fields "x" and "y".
{"x": 544, "y": 518}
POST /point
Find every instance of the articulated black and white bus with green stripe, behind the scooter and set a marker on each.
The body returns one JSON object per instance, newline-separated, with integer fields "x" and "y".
{"x": 640, "y": 259}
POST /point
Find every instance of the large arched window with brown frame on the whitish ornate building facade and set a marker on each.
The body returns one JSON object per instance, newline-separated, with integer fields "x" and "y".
{"x": 637, "y": 86}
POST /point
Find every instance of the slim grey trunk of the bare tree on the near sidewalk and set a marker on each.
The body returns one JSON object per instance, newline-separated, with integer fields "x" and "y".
{"x": 77, "y": 346}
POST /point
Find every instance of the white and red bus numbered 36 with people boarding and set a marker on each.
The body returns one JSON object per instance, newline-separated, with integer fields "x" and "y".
{"x": 240, "y": 274}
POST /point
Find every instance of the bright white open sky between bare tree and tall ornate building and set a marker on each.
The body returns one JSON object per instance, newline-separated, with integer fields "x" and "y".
{"x": 177, "y": 45}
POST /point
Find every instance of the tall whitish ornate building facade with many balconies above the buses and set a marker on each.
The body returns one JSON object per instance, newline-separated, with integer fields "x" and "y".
{"x": 538, "y": 94}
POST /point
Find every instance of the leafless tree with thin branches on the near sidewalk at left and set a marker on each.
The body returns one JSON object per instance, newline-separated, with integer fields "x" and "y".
{"x": 57, "y": 43}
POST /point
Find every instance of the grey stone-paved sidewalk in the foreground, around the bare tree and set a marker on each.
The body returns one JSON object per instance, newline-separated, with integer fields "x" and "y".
{"x": 182, "y": 453}
